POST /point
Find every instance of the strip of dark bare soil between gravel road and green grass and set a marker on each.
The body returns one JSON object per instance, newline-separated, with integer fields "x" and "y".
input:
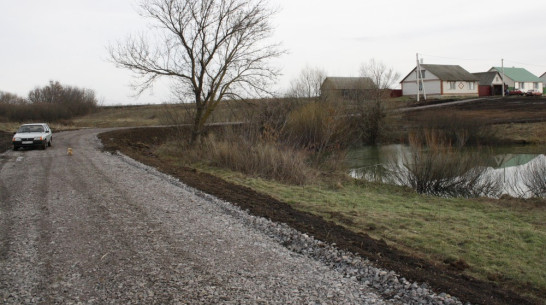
{"x": 139, "y": 144}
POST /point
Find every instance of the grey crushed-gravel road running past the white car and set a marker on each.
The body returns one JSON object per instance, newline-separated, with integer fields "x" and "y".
{"x": 97, "y": 228}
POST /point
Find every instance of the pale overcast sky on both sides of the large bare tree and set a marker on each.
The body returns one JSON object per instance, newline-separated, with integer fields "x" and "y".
{"x": 66, "y": 40}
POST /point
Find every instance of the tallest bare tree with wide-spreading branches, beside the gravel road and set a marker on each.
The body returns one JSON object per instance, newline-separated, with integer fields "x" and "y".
{"x": 212, "y": 50}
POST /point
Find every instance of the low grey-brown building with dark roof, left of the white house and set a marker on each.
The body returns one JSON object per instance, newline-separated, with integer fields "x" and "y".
{"x": 350, "y": 88}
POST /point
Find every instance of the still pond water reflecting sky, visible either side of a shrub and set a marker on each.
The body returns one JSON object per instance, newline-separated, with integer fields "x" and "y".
{"x": 506, "y": 163}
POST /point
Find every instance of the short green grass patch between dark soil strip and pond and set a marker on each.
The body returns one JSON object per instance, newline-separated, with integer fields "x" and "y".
{"x": 501, "y": 240}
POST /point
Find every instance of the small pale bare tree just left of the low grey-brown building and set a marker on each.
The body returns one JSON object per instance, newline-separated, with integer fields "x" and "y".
{"x": 307, "y": 84}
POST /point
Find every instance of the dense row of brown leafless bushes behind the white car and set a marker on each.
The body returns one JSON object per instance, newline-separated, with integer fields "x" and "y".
{"x": 51, "y": 103}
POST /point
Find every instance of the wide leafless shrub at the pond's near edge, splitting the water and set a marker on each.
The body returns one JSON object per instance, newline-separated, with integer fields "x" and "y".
{"x": 439, "y": 169}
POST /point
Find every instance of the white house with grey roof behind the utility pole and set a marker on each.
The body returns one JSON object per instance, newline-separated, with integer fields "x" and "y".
{"x": 441, "y": 80}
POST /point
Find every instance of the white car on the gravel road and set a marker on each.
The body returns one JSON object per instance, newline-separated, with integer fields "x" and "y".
{"x": 33, "y": 135}
